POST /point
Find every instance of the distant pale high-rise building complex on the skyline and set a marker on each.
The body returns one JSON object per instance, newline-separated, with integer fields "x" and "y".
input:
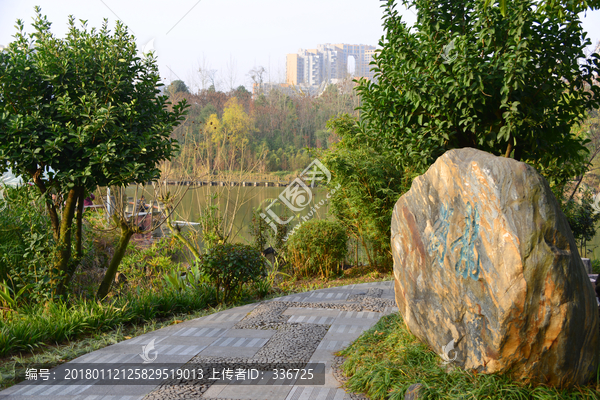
{"x": 328, "y": 63}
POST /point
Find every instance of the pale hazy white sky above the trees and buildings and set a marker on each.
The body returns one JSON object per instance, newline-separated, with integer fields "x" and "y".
{"x": 229, "y": 36}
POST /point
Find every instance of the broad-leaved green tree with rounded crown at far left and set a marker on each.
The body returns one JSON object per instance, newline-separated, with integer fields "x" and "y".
{"x": 77, "y": 113}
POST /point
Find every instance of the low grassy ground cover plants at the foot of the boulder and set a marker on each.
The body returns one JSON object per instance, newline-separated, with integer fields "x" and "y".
{"x": 386, "y": 359}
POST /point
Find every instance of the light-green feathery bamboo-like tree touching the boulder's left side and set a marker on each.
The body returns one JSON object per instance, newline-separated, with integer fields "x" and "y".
{"x": 370, "y": 181}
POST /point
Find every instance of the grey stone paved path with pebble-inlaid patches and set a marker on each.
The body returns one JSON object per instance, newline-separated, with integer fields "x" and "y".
{"x": 300, "y": 328}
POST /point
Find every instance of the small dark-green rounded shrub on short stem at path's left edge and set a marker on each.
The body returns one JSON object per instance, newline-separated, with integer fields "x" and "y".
{"x": 229, "y": 266}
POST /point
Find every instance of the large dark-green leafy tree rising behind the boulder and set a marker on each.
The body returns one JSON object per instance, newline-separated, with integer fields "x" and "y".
{"x": 468, "y": 77}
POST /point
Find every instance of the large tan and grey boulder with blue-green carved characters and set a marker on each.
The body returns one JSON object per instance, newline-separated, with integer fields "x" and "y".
{"x": 484, "y": 257}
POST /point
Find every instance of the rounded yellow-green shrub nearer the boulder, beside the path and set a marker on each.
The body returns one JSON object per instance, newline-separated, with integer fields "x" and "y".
{"x": 317, "y": 247}
